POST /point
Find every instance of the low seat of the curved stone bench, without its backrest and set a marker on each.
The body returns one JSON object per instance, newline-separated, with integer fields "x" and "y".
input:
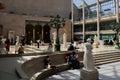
{"x": 45, "y": 73}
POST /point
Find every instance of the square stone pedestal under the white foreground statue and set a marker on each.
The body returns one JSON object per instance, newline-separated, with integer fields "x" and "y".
{"x": 89, "y": 74}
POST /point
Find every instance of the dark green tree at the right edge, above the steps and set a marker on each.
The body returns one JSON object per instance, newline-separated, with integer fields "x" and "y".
{"x": 116, "y": 27}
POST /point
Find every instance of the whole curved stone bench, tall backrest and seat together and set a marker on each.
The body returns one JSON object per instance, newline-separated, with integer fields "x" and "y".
{"x": 36, "y": 65}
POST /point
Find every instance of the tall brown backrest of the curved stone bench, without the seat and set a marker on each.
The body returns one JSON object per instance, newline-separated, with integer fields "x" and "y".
{"x": 35, "y": 65}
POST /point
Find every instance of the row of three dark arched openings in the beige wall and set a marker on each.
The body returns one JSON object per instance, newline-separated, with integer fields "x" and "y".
{"x": 37, "y": 32}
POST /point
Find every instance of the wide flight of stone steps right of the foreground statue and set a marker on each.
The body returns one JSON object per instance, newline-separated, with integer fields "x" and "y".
{"x": 105, "y": 58}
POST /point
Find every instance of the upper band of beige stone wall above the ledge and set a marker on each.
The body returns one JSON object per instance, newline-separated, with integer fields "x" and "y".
{"x": 38, "y": 7}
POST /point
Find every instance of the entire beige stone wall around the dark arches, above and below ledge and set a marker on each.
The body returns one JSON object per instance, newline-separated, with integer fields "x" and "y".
{"x": 17, "y": 11}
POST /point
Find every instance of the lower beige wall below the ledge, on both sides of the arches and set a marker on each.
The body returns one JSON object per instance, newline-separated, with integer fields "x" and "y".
{"x": 13, "y": 22}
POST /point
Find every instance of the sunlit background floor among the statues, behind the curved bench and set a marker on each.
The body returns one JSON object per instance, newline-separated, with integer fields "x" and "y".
{"x": 34, "y": 49}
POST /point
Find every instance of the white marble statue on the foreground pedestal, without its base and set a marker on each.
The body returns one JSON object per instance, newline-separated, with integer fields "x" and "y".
{"x": 88, "y": 57}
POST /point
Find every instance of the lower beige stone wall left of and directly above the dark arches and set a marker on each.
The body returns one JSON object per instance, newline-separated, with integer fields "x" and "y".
{"x": 16, "y": 22}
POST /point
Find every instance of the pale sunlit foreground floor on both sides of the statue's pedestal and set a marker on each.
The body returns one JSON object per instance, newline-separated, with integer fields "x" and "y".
{"x": 106, "y": 72}
